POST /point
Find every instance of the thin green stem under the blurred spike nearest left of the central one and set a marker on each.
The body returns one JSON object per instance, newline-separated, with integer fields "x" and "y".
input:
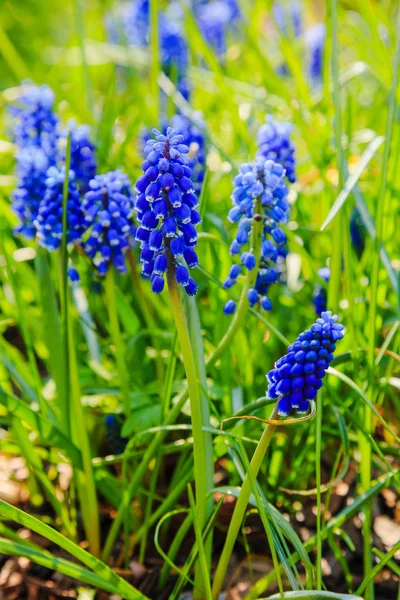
{"x": 117, "y": 339}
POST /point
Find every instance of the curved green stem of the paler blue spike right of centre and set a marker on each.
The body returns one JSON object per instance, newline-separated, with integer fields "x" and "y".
{"x": 241, "y": 311}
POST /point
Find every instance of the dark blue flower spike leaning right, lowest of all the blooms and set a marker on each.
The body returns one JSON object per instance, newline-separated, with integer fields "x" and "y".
{"x": 298, "y": 375}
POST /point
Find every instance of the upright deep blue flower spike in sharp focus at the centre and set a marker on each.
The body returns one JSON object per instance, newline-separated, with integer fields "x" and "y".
{"x": 166, "y": 210}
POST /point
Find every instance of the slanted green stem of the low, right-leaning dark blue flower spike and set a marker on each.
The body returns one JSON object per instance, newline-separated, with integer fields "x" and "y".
{"x": 241, "y": 506}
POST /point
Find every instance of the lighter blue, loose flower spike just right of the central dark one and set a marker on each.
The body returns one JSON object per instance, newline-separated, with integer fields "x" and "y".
{"x": 262, "y": 181}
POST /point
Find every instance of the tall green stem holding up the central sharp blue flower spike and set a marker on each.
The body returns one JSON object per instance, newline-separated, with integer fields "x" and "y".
{"x": 199, "y": 444}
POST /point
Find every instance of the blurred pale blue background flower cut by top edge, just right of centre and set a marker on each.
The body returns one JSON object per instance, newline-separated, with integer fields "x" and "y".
{"x": 215, "y": 18}
